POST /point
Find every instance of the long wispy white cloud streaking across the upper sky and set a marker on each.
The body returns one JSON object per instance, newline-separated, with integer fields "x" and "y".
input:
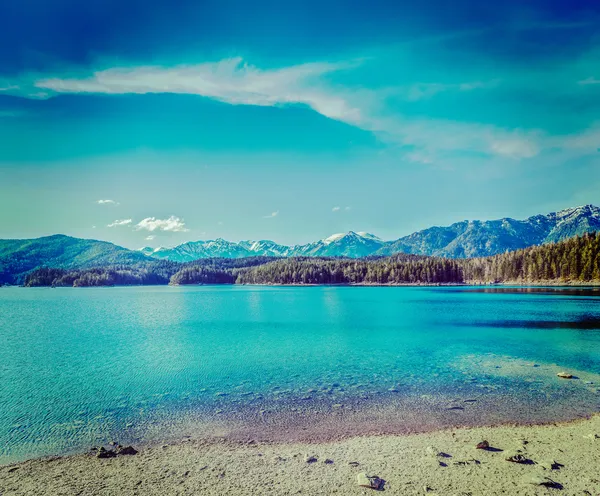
{"x": 236, "y": 82}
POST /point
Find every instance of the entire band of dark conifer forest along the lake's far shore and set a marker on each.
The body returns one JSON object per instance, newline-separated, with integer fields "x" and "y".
{"x": 574, "y": 260}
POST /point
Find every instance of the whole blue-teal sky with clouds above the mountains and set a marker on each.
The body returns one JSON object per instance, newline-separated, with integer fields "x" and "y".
{"x": 156, "y": 123}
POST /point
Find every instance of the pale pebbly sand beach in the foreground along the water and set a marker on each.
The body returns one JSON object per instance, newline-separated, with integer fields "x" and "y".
{"x": 443, "y": 463}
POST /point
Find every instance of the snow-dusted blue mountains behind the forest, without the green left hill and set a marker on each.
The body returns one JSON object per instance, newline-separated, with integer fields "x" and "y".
{"x": 462, "y": 239}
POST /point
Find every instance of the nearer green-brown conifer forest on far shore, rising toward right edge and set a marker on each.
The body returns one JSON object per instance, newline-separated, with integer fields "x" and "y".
{"x": 574, "y": 260}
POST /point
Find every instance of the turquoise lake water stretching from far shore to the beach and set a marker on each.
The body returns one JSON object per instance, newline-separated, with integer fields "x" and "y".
{"x": 80, "y": 367}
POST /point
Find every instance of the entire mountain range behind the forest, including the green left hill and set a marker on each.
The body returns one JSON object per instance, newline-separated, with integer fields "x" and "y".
{"x": 460, "y": 240}
